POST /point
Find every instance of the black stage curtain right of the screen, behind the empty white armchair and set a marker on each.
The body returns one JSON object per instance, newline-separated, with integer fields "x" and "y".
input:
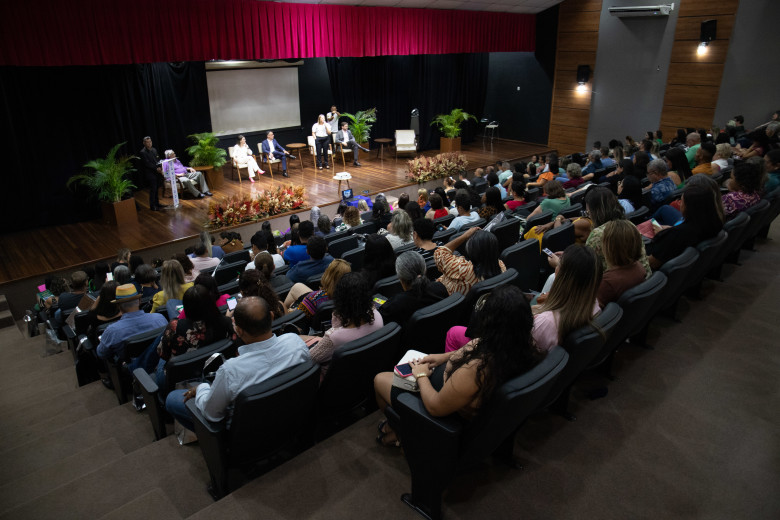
{"x": 434, "y": 84}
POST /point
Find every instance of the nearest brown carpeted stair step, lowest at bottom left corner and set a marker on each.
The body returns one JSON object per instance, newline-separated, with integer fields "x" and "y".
{"x": 178, "y": 471}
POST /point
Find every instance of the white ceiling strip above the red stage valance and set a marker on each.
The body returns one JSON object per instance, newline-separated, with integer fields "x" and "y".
{"x": 504, "y": 6}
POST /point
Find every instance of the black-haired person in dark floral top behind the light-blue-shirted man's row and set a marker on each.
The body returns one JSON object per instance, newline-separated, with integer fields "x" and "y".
{"x": 203, "y": 325}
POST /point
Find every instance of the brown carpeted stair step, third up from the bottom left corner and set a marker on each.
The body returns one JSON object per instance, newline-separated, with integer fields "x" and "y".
{"x": 130, "y": 429}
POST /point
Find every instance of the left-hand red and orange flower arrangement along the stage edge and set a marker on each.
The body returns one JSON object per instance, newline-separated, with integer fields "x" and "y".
{"x": 266, "y": 203}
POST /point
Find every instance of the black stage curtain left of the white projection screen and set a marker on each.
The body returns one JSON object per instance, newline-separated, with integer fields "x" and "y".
{"x": 55, "y": 119}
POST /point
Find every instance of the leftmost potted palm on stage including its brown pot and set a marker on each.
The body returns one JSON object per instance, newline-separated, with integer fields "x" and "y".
{"x": 107, "y": 181}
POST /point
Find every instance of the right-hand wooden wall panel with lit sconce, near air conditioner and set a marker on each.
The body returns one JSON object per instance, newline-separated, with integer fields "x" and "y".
{"x": 693, "y": 81}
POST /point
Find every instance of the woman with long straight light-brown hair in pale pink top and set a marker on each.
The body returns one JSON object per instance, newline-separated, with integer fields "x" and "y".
{"x": 571, "y": 302}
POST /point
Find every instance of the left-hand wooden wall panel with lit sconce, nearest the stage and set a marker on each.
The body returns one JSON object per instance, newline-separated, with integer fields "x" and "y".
{"x": 578, "y": 35}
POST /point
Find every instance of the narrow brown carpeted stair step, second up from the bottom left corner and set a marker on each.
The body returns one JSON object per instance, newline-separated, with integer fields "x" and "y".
{"x": 44, "y": 480}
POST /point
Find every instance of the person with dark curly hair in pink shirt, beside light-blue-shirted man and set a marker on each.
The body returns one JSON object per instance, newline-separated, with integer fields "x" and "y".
{"x": 354, "y": 316}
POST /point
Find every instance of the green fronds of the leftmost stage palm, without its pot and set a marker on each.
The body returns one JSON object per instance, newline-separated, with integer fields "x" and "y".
{"x": 106, "y": 178}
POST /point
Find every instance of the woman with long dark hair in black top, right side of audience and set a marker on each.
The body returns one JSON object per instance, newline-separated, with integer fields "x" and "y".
{"x": 701, "y": 221}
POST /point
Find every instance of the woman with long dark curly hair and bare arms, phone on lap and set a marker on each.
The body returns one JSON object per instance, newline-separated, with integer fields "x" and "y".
{"x": 461, "y": 382}
